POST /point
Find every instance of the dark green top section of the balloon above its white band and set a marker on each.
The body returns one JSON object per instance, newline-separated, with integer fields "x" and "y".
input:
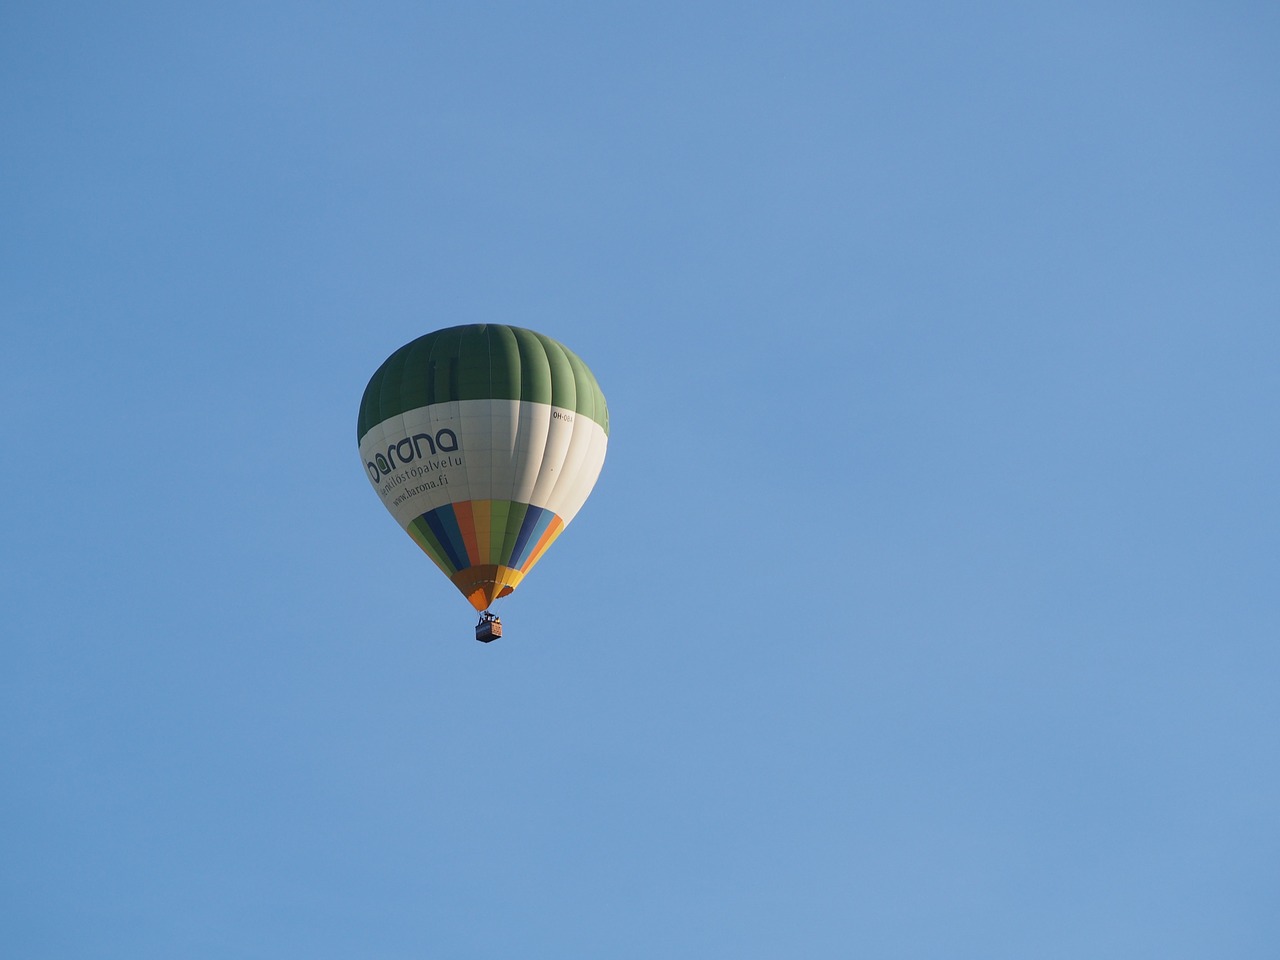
{"x": 482, "y": 362}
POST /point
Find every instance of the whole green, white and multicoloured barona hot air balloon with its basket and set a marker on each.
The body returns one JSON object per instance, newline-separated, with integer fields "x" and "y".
{"x": 483, "y": 442}
